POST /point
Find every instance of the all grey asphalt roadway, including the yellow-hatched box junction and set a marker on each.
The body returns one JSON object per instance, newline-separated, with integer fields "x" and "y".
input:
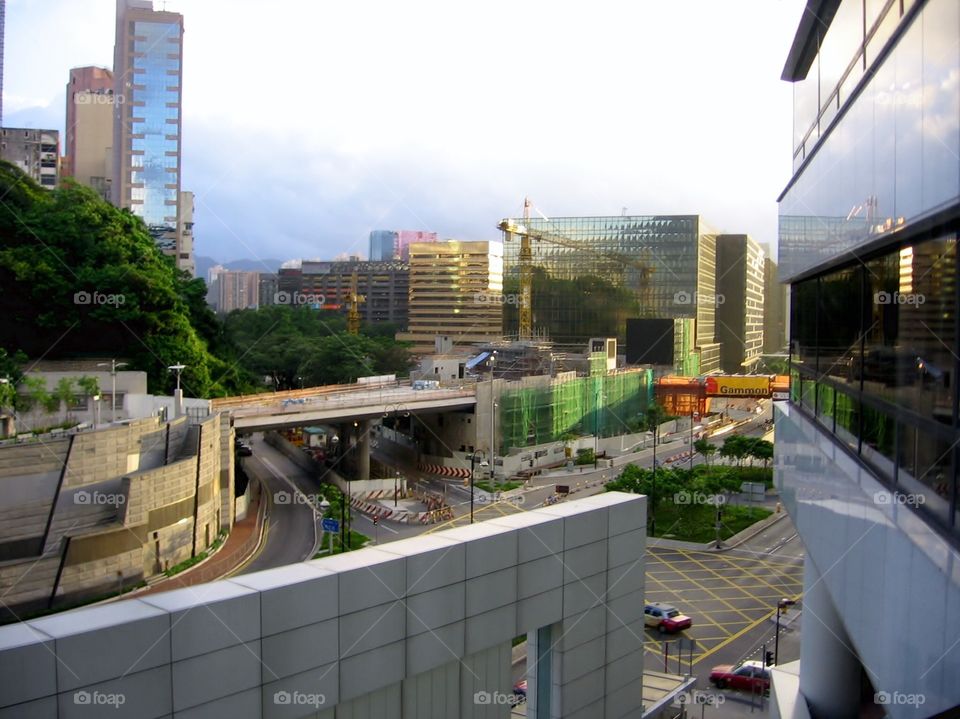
{"x": 731, "y": 594}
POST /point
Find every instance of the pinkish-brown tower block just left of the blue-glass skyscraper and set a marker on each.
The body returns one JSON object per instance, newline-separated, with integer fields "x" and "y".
{"x": 88, "y": 137}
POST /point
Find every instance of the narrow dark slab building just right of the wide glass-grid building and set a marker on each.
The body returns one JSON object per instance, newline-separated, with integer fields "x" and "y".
{"x": 740, "y": 285}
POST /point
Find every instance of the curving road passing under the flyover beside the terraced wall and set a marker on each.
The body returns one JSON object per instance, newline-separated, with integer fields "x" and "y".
{"x": 289, "y": 535}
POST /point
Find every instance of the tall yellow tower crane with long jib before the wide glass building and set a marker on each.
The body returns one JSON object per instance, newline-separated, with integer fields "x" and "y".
{"x": 525, "y": 305}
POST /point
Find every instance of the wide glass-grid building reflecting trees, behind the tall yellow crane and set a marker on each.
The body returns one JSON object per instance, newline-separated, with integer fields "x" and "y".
{"x": 606, "y": 270}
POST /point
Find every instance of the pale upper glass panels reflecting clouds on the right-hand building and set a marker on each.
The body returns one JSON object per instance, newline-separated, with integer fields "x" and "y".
{"x": 891, "y": 159}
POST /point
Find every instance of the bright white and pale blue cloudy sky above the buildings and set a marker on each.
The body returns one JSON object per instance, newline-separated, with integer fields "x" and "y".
{"x": 308, "y": 123}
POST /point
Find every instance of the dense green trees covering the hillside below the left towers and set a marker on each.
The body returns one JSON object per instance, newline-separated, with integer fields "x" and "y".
{"x": 82, "y": 278}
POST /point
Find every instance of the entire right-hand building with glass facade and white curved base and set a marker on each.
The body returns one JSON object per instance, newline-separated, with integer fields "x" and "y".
{"x": 867, "y": 447}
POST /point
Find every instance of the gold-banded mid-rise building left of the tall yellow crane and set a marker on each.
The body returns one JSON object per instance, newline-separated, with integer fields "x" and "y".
{"x": 456, "y": 291}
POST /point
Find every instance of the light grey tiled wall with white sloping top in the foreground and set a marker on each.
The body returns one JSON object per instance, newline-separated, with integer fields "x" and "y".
{"x": 421, "y": 627}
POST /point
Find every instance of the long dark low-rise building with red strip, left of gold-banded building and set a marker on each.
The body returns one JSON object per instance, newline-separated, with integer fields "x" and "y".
{"x": 383, "y": 285}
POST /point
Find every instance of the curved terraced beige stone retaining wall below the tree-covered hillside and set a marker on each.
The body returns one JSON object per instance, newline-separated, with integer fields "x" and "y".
{"x": 109, "y": 531}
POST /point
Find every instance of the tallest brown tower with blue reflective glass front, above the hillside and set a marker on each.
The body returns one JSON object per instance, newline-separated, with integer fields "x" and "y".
{"x": 148, "y": 73}
